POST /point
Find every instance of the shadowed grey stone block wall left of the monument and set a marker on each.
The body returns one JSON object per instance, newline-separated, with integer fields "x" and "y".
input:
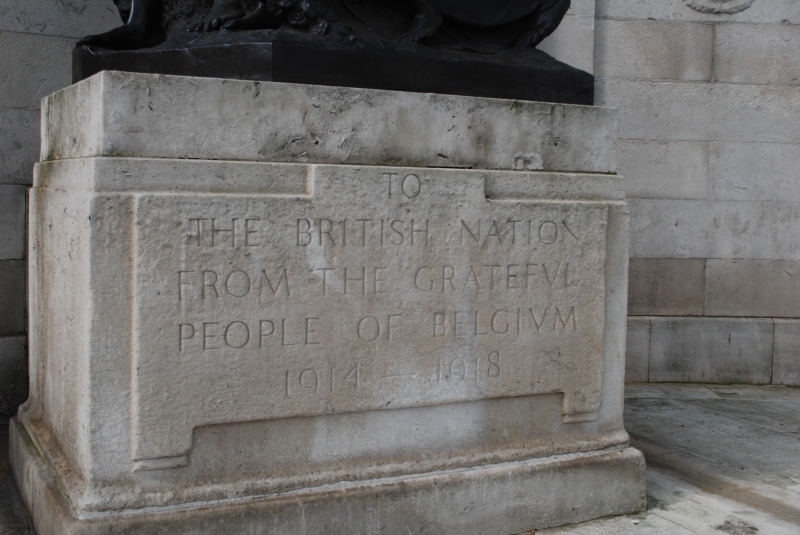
{"x": 36, "y": 41}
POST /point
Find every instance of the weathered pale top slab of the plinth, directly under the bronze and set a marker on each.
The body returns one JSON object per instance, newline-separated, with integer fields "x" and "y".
{"x": 236, "y": 120}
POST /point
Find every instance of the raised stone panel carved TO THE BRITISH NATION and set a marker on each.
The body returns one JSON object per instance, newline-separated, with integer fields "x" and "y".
{"x": 380, "y": 289}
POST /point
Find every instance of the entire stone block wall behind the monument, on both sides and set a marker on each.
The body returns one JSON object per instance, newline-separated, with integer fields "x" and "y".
{"x": 709, "y": 143}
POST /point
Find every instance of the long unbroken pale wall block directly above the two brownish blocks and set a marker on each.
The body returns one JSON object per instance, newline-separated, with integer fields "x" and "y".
{"x": 720, "y": 229}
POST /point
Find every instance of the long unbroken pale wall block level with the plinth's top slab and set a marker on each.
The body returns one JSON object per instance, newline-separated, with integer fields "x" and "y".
{"x": 693, "y": 111}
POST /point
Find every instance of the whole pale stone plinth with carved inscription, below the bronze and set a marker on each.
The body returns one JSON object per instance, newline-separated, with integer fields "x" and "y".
{"x": 278, "y": 309}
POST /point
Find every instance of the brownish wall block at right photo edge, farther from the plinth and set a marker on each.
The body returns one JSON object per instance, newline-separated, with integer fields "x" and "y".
{"x": 753, "y": 288}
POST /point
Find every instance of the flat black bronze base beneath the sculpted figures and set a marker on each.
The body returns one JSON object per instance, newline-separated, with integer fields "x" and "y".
{"x": 519, "y": 73}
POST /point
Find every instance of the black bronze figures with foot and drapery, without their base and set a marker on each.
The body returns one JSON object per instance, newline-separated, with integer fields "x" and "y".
{"x": 481, "y": 25}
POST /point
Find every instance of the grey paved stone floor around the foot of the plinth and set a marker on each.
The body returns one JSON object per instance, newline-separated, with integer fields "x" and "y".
{"x": 721, "y": 460}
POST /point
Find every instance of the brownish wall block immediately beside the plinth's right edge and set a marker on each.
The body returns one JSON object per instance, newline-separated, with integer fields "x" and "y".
{"x": 666, "y": 287}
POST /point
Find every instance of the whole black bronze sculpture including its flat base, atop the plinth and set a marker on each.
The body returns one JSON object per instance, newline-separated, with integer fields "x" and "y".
{"x": 464, "y": 47}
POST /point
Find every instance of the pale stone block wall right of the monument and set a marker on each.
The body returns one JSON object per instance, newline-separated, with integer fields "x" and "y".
{"x": 710, "y": 148}
